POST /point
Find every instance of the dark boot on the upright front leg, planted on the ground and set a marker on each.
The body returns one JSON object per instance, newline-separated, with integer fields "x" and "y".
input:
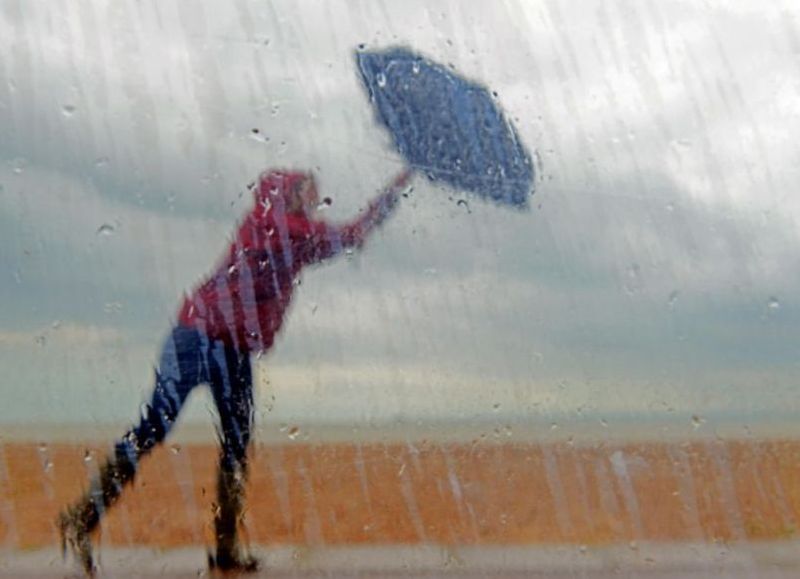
{"x": 230, "y": 504}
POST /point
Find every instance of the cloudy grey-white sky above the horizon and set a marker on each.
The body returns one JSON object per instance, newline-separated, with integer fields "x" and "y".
{"x": 657, "y": 272}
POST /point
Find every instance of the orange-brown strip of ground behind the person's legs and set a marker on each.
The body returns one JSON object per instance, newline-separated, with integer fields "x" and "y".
{"x": 486, "y": 492}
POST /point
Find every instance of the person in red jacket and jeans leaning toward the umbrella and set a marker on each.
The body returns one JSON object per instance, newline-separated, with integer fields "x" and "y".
{"x": 235, "y": 312}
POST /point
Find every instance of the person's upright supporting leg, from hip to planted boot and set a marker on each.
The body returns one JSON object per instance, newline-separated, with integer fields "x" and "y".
{"x": 231, "y": 384}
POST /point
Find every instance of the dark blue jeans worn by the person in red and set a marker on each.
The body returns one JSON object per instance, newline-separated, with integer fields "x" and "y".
{"x": 190, "y": 358}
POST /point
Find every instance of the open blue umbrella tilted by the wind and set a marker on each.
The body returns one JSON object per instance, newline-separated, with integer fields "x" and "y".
{"x": 446, "y": 126}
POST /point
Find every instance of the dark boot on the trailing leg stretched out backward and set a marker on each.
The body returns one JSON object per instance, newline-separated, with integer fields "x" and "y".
{"x": 77, "y": 522}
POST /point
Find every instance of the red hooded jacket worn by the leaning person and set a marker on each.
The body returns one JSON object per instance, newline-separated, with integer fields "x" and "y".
{"x": 244, "y": 300}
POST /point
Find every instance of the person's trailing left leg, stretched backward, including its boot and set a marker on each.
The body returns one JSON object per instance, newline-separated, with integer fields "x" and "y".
{"x": 180, "y": 369}
